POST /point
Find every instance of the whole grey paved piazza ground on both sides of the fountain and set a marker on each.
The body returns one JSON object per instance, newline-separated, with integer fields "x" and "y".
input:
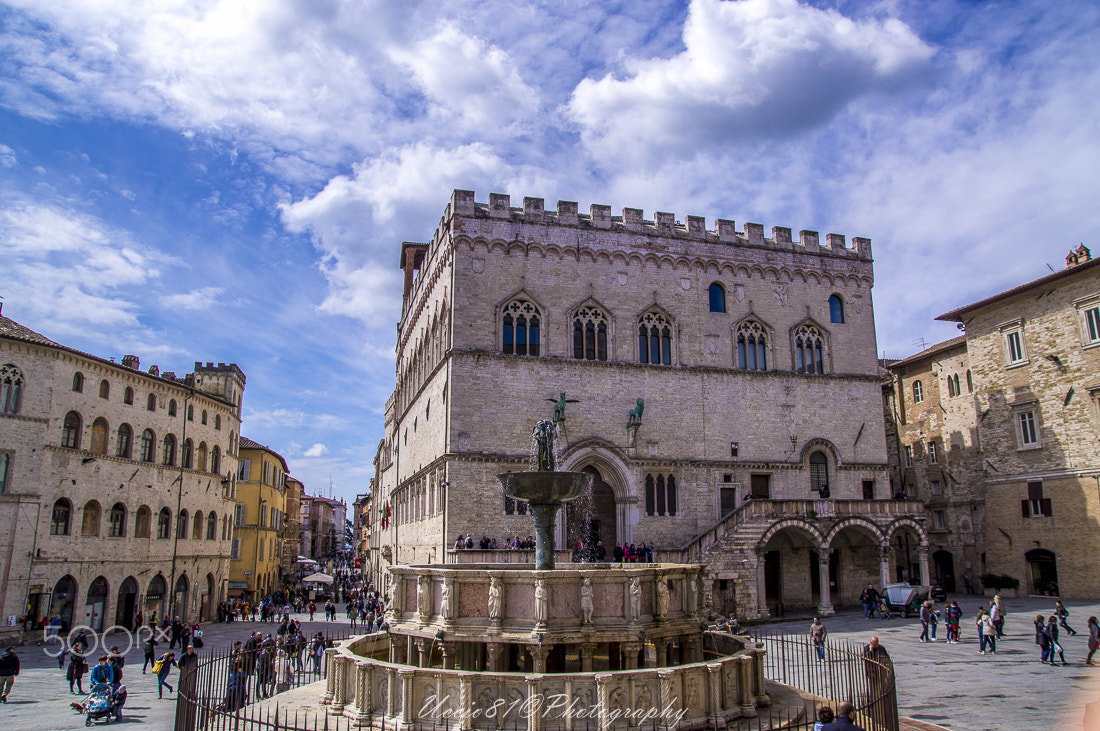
{"x": 949, "y": 685}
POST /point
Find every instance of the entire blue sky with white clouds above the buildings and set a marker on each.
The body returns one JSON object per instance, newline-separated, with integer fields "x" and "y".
{"x": 232, "y": 180}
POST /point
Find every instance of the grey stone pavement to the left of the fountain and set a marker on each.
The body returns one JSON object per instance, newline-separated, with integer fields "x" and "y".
{"x": 40, "y": 699}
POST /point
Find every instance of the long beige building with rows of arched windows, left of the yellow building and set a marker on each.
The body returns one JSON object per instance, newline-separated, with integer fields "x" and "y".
{"x": 116, "y": 484}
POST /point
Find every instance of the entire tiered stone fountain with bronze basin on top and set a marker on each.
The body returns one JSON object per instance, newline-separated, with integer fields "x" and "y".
{"x": 468, "y": 645}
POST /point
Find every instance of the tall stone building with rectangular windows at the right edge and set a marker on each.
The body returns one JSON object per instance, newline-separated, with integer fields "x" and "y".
{"x": 1035, "y": 359}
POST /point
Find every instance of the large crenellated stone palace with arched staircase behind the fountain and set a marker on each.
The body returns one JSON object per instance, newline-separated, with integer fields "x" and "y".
{"x": 723, "y": 387}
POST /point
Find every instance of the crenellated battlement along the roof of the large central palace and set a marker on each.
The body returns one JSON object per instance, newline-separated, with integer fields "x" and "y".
{"x": 664, "y": 225}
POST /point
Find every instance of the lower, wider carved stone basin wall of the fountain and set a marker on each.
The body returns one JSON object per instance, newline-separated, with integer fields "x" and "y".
{"x": 708, "y": 694}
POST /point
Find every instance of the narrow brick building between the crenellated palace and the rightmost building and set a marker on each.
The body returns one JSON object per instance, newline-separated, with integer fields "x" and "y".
{"x": 933, "y": 436}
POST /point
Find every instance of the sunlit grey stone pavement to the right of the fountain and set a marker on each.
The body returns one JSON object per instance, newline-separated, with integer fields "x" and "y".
{"x": 953, "y": 686}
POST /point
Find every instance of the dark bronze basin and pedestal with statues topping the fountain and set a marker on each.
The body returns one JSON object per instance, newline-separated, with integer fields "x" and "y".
{"x": 545, "y": 490}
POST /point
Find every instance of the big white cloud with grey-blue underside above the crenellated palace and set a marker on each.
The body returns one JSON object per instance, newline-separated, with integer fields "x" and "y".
{"x": 751, "y": 70}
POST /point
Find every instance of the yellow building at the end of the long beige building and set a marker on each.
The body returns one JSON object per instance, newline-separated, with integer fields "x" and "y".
{"x": 259, "y": 523}
